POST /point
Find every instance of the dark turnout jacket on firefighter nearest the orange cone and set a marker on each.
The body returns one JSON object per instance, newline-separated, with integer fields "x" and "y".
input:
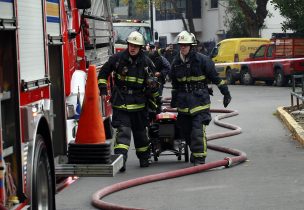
{"x": 134, "y": 84}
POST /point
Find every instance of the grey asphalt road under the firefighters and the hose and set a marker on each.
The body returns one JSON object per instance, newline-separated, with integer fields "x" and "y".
{"x": 272, "y": 178}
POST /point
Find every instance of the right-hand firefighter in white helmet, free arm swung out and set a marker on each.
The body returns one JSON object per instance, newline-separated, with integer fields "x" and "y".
{"x": 189, "y": 72}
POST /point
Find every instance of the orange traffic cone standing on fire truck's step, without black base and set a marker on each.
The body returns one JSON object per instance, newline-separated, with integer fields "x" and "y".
{"x": 90, "y": 127}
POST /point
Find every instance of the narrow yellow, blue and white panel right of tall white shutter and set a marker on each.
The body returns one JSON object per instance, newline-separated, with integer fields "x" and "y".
{"x": 53, "y": 18}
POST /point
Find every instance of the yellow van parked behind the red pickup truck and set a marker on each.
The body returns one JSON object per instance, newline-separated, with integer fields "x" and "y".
{"x": 234, "y": 50}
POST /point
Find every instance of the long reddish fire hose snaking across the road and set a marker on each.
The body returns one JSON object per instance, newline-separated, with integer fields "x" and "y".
{"x": 238, "y": 158}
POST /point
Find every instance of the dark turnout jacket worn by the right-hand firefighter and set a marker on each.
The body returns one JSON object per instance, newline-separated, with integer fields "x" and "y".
{"x": 189, "y": 82}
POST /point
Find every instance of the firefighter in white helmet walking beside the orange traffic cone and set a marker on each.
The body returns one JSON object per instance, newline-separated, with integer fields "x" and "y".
{"x": 134, "y": 86}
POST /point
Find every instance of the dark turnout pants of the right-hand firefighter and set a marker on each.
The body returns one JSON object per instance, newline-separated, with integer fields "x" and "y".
{"x": 193, "y": 130}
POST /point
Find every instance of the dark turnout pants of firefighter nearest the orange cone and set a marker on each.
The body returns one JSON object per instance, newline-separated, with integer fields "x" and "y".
{"x": 127, "y": 123}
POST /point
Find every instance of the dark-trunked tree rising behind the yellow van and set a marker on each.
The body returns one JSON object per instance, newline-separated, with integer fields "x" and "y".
{"x": 254, "y": 13}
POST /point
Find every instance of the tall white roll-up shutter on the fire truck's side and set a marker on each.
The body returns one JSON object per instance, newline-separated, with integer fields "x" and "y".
{"x": 31, "y": 40}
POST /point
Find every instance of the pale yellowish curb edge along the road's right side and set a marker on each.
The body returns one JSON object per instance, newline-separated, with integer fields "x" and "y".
{"x": 296, "y": 130}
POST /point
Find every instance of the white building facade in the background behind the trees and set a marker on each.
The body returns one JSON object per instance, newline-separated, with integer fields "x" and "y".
{"x": 208, "y": 22}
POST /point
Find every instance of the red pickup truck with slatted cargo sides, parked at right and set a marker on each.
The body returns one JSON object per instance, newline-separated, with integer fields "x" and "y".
{"x": 275, "y": 62}
